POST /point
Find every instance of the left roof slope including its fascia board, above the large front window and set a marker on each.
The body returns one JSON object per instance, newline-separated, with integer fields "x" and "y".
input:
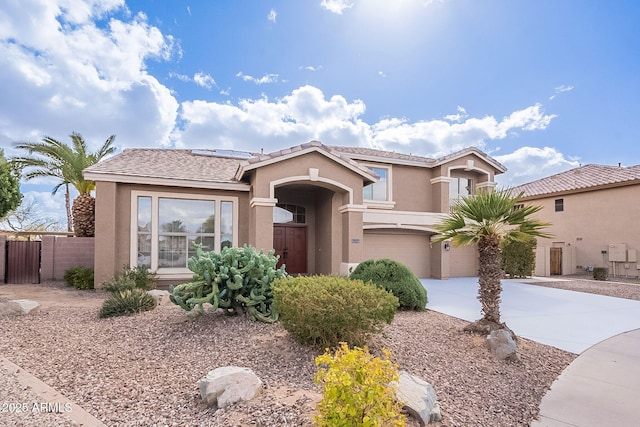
{"x": 168, "y": 167}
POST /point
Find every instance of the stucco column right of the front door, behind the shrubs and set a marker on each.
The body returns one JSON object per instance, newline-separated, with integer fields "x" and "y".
{"x": 352, "y": 237}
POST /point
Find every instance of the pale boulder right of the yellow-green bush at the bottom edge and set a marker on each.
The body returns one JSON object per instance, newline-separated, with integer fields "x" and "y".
{"x": 418, "y": 398}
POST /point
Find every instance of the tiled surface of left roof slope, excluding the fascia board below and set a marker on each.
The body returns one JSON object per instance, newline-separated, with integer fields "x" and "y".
{"x": 168, "y": 164}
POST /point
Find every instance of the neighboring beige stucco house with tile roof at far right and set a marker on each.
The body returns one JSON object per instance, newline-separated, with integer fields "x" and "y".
{"x": 594, "y": 211}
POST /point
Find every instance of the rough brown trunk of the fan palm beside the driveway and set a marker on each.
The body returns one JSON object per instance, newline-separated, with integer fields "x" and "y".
{"x": 489, "y": 278}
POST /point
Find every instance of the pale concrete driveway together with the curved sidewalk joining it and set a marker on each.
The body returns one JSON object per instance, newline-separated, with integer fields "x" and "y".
{"x": 601, "y": 386}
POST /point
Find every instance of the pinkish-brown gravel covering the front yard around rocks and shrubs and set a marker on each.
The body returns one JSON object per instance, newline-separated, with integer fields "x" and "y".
{"x": 143, "y": 370}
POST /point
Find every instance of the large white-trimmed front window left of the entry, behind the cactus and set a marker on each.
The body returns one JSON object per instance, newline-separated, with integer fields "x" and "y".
{"x": 169, "y": 226}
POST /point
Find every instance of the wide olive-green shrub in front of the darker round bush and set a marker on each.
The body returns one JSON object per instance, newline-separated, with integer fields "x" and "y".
{"x": 326, "y": 310}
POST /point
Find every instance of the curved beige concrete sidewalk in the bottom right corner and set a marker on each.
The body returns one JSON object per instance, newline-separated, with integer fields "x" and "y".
{"x": 600, "y": 388}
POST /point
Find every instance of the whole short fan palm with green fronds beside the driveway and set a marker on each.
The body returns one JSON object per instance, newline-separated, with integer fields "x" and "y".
{"x": 486, "y": 219}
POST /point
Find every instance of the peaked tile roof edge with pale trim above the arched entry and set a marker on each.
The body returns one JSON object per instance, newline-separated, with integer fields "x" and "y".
{"x": 289, "y": 153}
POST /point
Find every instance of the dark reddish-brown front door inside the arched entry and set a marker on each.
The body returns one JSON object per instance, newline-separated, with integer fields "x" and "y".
{"x": 290, "y": 243}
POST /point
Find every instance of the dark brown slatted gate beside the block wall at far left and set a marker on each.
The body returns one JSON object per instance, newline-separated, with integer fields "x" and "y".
{"x": 23, "y": 261}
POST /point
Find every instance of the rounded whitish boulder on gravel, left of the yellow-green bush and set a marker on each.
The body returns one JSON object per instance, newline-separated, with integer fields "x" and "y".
{"x": 227, "y": 385}
